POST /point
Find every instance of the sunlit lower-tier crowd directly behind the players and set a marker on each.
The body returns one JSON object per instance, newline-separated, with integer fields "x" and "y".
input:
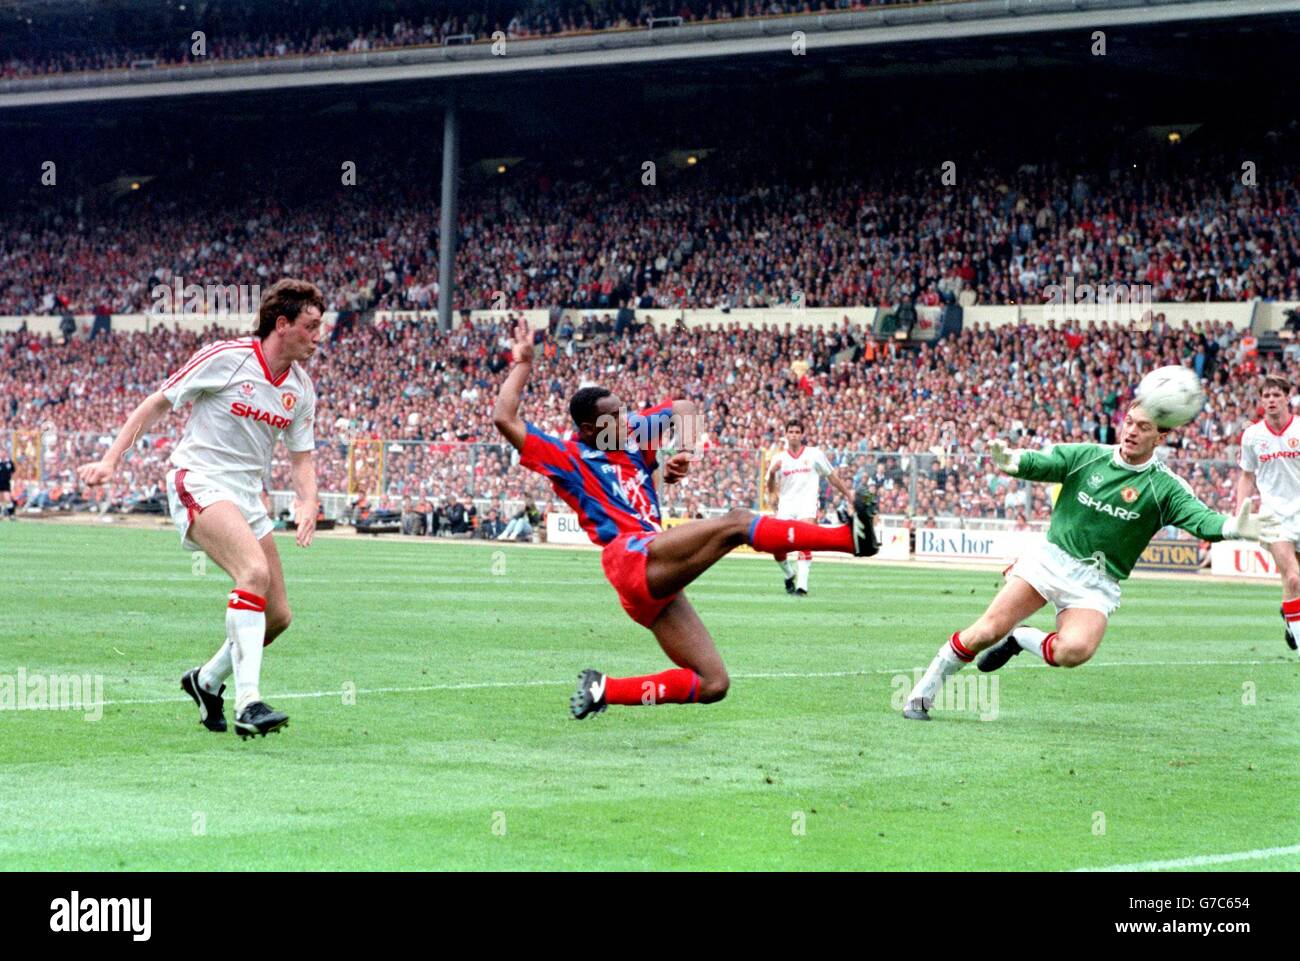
{"x": 406, "y": 410}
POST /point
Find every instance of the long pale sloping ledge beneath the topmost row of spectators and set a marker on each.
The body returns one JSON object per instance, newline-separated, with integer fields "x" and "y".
{"x": 703, "y": 47}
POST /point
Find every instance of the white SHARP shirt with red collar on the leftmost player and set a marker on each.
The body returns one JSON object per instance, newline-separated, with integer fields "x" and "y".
{"x": 240, "y": 412}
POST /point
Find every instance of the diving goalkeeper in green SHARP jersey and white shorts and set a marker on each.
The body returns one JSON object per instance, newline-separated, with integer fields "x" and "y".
{"x": 1113, "y": 501}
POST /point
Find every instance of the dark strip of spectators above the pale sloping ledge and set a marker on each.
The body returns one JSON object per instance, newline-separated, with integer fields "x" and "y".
{"x": 233, "y": 31}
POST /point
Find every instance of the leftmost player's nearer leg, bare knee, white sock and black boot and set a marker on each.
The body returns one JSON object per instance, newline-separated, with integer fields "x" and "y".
{"x": 222, "y": 531}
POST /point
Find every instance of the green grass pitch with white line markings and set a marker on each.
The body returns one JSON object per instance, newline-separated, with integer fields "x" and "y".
{"x": 458, "y": 752}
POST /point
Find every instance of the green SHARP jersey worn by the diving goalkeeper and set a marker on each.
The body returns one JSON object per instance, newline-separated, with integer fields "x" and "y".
{"x": 1111, "y": 510}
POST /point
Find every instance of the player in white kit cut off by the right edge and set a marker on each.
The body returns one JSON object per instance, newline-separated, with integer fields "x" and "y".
{"x": 1271, "y": 462}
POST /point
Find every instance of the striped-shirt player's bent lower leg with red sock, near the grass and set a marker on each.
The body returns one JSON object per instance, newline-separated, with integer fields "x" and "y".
{"x": 700, "y": 677}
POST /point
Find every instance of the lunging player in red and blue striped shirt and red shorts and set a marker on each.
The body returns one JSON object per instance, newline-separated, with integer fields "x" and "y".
{"x": 605, "y": 475}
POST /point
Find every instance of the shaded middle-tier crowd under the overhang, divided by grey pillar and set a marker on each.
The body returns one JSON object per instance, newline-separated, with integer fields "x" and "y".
{"x": 723, "y": 237}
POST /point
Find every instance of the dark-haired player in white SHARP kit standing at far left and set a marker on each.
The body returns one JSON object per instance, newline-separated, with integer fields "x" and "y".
{"x": 246, "y": 395}
